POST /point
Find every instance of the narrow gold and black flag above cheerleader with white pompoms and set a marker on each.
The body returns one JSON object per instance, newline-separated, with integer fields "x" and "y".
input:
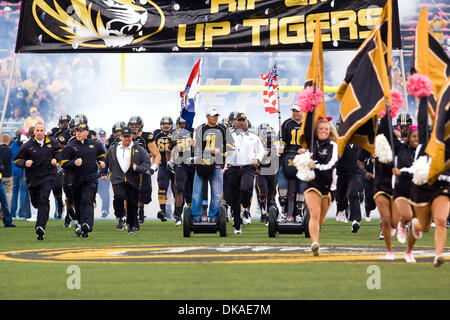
{"x": 314, "y": 77}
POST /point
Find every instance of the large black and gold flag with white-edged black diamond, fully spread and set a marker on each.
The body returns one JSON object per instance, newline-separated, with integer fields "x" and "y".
{"x": 365, "y": 96}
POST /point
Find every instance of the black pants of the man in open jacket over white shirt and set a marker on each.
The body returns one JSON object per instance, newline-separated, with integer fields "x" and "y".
{"x": 125, "y": 191}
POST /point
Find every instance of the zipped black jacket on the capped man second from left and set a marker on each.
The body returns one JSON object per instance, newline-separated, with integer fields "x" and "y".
{"x": 90, "y": 151}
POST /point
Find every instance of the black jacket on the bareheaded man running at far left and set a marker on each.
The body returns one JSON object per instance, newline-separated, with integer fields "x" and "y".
{"x": 42, "y": 170}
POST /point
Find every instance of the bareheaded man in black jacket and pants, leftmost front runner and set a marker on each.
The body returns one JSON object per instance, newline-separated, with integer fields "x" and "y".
{"x": 39, "y": 157}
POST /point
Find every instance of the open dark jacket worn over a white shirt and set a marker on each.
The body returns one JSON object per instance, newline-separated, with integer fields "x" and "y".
{"x": 139, "y": 156}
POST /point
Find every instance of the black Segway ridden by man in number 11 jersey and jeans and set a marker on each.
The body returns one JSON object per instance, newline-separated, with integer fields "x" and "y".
{"x": 204, "y": 226}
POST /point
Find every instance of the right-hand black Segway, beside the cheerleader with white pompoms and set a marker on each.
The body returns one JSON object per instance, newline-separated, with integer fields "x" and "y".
{"x": 289, "y": 226}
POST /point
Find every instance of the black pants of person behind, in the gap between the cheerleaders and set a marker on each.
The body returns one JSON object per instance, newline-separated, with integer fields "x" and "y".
{"x": 348, "y": 186}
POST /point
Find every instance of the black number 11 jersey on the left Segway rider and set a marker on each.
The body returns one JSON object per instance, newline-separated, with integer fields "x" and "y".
{"x": 209, "y": 138}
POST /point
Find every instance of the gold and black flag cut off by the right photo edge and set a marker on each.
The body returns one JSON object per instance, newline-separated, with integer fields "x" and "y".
{"x": 438, "y": 147}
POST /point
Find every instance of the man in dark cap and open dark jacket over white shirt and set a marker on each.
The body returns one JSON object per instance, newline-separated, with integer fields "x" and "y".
{"x": 126, "y": 161}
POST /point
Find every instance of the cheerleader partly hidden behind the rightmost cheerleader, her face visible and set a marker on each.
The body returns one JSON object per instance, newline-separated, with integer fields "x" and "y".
{"x": 405, "y": 154}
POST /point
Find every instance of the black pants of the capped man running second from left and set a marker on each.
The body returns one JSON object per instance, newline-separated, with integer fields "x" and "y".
{"x": 84, "y": 197}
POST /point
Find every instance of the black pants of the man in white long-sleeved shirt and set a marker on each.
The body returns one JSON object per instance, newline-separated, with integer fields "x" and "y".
{"x": 240, "y": 181}
